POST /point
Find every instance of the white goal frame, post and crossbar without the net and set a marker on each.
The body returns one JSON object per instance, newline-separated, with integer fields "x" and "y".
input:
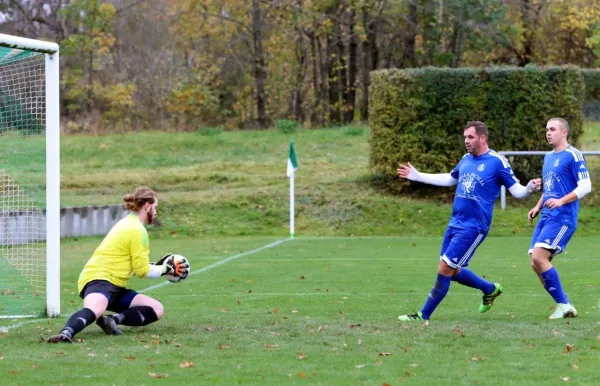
{"x": 51, "y": 51}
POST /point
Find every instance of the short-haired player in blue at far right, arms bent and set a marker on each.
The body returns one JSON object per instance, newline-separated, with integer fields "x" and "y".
{"x": 566, "y": 181}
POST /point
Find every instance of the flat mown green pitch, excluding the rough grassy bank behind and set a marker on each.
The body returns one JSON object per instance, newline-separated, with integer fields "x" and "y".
{"x": 323, "y": 311}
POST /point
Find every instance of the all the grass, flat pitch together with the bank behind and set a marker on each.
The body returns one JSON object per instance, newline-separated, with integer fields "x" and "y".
{"x": 320, "y": 309}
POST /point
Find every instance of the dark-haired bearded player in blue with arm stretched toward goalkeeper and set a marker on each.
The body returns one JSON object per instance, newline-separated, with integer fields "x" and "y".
{"x": 479, "y": 176}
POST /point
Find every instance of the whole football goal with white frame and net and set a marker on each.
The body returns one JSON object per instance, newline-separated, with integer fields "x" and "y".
{"x": 29, "y": 178}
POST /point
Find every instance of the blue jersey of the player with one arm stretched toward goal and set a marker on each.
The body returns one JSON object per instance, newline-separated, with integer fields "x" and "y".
{"x": 479, "y": 181}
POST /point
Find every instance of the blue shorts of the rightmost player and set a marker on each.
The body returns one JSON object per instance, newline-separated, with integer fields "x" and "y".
{"x": 551, "y": 234}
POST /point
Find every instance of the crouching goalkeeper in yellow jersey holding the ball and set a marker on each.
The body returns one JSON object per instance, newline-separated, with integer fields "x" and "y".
{"x": 103, "y": 281}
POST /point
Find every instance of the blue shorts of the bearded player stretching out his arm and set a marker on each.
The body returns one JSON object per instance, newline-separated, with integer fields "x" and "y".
{"x": 459, "y": 245}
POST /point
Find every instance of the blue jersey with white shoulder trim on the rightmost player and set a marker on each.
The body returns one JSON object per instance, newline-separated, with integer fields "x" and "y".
{"x": 560, "y": 175}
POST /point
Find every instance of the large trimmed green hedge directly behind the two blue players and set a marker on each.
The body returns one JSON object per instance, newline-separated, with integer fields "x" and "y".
{"x": 417, "y": 115}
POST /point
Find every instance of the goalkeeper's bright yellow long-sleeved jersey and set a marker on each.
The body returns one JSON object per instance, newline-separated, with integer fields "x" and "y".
{"x": 124, "y": 251}
